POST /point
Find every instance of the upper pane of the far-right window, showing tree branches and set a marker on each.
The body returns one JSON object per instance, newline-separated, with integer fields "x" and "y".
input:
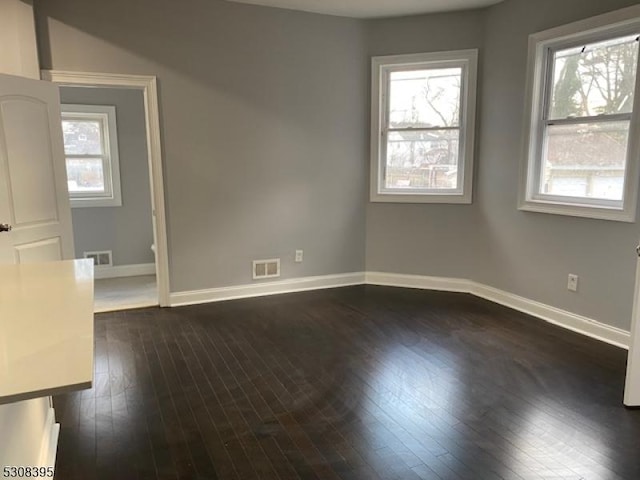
{"x": 595, "y": 79}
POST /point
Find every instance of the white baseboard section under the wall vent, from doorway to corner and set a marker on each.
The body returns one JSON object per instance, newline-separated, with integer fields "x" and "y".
{"x": 266, "y": 288}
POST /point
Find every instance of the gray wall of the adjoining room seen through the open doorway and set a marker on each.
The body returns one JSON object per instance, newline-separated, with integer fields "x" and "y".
{"x": 126, "y": 230}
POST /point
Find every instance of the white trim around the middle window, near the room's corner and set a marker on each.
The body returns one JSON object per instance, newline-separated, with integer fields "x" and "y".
{"x": 468, "y": 60}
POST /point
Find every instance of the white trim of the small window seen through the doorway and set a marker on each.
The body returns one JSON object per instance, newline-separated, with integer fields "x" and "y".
{"x": 111, "y": 167}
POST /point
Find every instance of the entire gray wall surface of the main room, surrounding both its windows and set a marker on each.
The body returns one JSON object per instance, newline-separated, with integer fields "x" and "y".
{"x": 265, "y": 130}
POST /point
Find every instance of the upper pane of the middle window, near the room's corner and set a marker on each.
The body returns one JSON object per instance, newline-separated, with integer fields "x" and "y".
{"x": 425, "y": 98}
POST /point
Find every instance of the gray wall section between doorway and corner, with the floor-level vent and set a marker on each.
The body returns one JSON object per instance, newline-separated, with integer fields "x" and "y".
{"x": 262, "y": 122}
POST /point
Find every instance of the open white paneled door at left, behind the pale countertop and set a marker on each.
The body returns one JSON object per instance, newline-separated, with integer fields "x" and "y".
{"x": 34, "y": 202}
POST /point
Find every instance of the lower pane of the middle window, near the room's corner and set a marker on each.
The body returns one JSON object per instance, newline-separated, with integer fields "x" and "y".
{"x": 422, "y": 160}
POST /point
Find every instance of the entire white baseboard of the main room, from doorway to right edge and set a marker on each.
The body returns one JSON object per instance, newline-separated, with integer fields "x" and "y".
{"x": 571, "y": 321}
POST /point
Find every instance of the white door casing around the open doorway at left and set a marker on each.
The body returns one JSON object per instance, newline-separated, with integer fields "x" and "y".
{"x": 147, "y": 84}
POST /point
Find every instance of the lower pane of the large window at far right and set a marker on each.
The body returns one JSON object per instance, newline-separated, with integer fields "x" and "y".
{"x": 585, "y": 160}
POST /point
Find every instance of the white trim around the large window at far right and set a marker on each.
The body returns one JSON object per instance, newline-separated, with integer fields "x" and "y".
{"x": 619, "y": 22}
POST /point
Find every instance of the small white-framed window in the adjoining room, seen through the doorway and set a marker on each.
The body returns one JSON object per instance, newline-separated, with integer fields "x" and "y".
{"x": 91, "y": 151}
